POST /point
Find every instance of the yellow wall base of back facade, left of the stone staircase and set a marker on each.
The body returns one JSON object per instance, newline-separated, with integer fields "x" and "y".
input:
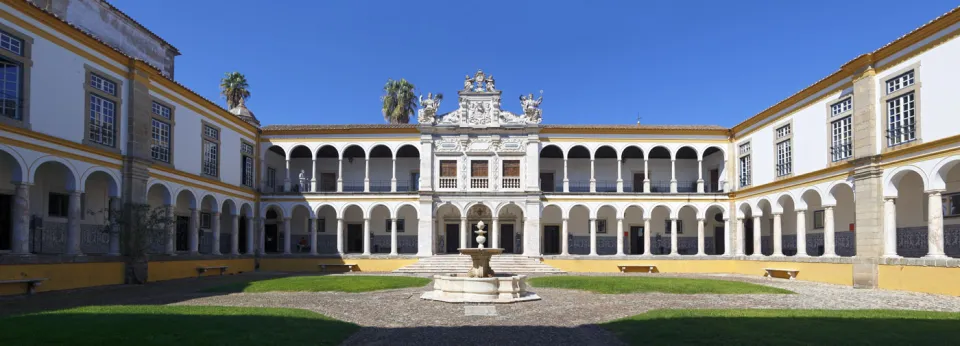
{"x": 311, "y": 264}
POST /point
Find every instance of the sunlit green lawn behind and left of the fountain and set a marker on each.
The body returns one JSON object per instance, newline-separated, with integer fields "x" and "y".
{"x": 325, "y": 283}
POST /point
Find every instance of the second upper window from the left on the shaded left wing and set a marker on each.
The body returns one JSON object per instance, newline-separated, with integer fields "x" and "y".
{"x": 103, "y": 111}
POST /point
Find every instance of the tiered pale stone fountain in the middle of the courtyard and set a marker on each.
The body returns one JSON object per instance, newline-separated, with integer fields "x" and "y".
{"x": 480, "y": 284}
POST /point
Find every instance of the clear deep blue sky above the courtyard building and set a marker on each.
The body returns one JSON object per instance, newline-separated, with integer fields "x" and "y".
{"x": 598, "y": 62}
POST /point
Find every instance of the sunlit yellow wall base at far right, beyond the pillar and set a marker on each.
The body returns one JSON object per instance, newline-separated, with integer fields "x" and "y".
{"x": 938, "y": 280}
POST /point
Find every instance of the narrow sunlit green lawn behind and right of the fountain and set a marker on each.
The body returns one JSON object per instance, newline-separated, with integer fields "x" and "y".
{"x": 641, "y": 284}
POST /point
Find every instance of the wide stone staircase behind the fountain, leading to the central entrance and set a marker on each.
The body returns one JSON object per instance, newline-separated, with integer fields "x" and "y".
{"x": 451, "y": 264}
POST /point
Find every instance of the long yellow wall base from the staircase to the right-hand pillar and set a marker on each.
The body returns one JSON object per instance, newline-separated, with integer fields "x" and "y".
{"x": 834, "y": 273}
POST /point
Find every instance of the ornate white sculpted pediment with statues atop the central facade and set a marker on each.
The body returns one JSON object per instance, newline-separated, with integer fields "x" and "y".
{"x": 479, "y": 107}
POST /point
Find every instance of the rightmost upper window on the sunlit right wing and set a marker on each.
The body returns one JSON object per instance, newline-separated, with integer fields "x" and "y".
{"x": 901, "y": 105}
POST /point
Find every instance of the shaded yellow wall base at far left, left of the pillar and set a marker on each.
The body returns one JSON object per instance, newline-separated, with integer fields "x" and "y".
{"x": 61, "y": 276}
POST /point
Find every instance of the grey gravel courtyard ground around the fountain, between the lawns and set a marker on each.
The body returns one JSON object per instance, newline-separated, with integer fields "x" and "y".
{"x": 400, "y": 317}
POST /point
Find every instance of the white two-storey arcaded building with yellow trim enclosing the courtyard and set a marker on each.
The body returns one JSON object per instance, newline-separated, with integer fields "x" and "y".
{"x": 858, "y": 167}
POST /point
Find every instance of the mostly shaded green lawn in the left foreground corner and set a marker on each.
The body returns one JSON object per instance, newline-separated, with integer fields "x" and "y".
{"x": 174, "y": 325}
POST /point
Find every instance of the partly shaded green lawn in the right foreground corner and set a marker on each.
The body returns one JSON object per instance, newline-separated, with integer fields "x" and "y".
{"x": 788, "y": 327}
